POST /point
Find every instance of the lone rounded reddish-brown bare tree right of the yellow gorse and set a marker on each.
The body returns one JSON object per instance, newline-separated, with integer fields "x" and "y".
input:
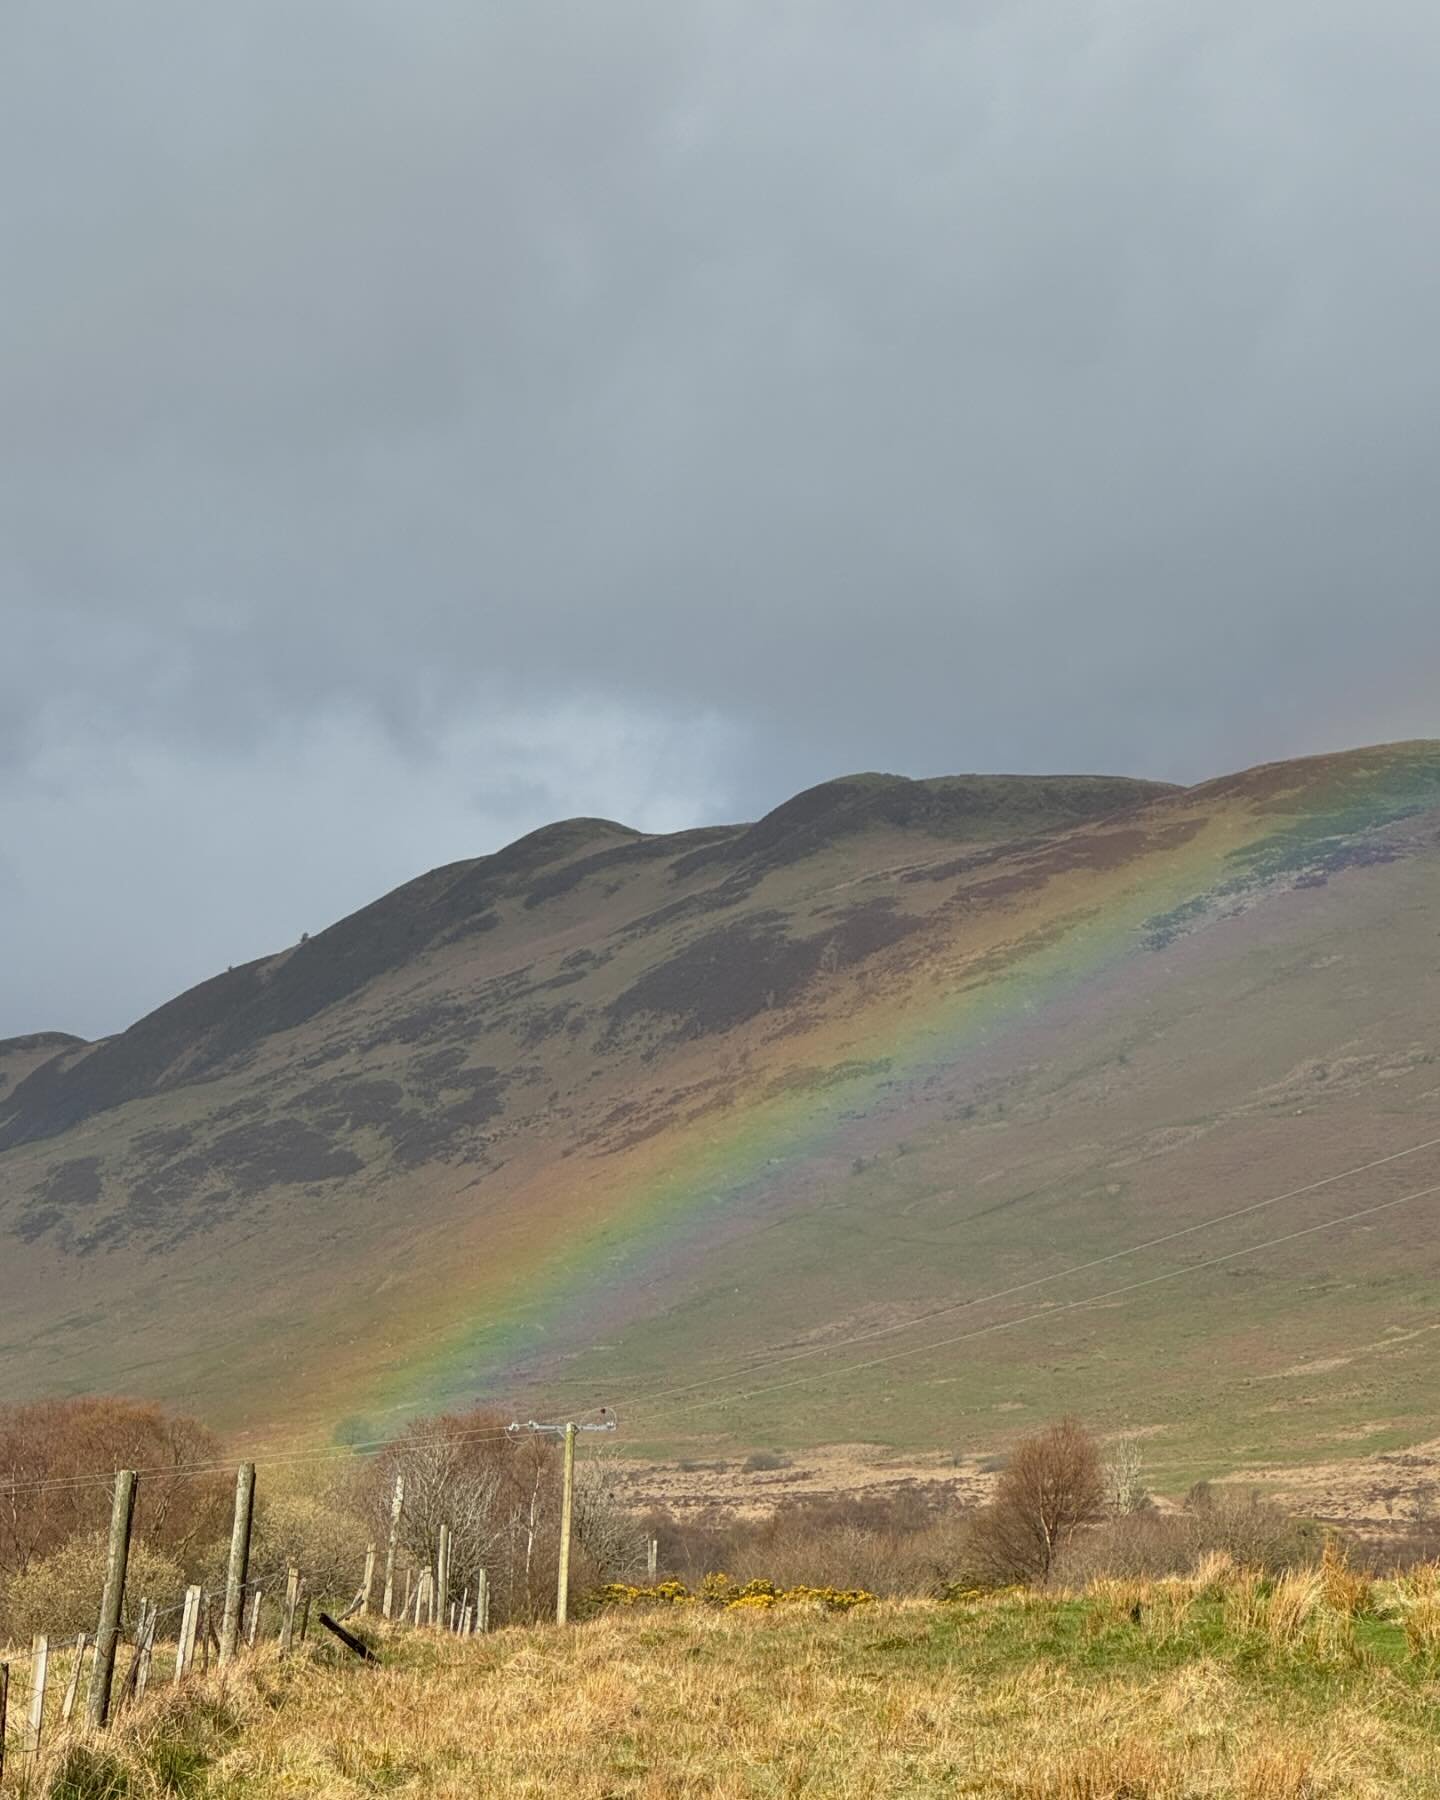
{"x": 1050, "y": 1488}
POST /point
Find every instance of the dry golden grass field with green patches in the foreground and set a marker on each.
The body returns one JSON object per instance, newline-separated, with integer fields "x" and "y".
{"x": 1210, "y": 1687}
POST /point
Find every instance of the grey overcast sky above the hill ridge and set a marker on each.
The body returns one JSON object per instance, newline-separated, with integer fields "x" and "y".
{"x": 426, "y": 420}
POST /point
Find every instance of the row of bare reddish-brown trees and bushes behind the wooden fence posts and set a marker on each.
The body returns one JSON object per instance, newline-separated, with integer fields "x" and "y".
{"x": 499, "y": 1497}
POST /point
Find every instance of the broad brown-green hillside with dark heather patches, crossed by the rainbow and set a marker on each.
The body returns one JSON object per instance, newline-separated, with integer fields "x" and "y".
{"x": 606, "y": 1117}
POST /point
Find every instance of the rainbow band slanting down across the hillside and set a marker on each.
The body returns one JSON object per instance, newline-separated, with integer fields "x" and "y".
{"x": 604, "y": 1236}
